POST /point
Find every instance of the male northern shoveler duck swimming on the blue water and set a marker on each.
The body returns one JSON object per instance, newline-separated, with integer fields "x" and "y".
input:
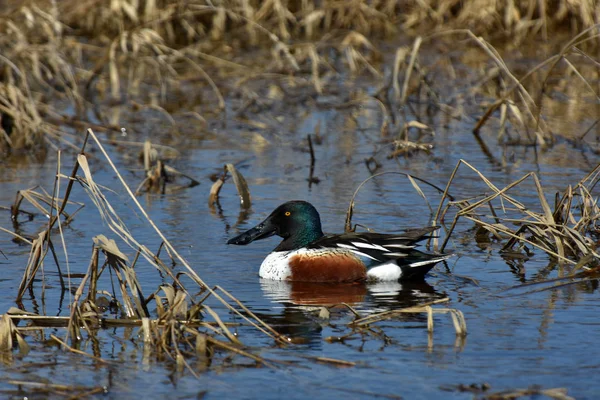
{"x": 307, "y": 255}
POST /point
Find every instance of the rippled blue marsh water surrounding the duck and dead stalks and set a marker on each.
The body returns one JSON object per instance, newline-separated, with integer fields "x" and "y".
{"x": 515, "y": 340}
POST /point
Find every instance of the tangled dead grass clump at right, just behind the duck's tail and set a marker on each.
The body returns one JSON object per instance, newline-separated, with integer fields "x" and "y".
{"x": 567, "y": 230}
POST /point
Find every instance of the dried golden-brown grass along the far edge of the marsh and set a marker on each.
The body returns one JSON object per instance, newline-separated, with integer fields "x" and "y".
{"x": 140, "y": 53}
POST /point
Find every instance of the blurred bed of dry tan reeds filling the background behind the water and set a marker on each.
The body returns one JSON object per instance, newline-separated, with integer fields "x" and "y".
{"x": 89, "y": 56}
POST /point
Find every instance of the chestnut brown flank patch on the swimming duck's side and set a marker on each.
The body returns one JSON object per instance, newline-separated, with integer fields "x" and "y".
{"x": 340, "y": 267}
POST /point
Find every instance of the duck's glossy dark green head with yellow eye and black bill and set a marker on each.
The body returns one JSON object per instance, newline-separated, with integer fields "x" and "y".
{"x": 297, "y": 222}
